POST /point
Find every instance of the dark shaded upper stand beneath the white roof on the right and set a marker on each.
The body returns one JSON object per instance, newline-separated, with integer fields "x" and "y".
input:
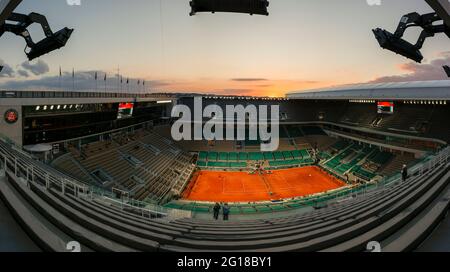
{"x": 424, "y": 120}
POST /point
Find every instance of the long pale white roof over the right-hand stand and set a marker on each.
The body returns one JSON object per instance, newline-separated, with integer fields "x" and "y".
{"x": 424, "y": 90}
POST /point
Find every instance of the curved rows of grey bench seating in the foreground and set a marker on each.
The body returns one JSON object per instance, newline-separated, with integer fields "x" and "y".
{"x": 397, "y": 216}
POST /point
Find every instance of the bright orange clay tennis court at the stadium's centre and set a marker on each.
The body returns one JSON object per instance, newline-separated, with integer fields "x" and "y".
{"x": 244, "y": 187}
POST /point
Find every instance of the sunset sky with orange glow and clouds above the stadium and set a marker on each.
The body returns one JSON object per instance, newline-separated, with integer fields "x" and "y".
{"x": 303, "y": 44}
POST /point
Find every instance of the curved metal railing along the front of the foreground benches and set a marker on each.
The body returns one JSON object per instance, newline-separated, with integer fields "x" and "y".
{"x": 20, "y": 163}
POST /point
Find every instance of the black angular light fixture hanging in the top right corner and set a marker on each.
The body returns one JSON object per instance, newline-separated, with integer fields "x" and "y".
{"x": 395, "y": 42}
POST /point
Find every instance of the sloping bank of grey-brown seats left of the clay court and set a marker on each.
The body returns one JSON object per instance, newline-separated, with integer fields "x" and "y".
{"x": 146, "y": 165}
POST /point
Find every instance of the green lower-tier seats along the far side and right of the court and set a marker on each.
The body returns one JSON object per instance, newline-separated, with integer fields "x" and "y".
{"x": 341, "y": 159}
